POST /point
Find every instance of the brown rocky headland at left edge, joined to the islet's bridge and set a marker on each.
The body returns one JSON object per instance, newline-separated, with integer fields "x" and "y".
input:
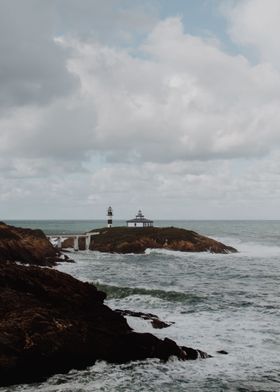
{"x": 26, "y": 246}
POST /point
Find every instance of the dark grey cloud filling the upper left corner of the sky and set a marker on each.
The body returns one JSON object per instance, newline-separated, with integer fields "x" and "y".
{"x": 32, "y": 65}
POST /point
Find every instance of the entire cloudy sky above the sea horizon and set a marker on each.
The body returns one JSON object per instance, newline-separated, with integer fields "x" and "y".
{"x": 168, "y": 106}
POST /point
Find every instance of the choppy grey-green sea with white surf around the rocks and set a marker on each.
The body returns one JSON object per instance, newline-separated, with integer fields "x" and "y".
{"x": 216, "y": 302}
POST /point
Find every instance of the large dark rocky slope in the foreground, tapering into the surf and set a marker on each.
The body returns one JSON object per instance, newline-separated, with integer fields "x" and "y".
{"x": 51, "y": 323}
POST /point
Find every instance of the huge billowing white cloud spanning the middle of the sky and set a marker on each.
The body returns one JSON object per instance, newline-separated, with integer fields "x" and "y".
{"x": 182, "y": 99}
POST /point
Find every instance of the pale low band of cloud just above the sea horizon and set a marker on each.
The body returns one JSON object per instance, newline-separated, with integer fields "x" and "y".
{"x": 165, "y": 191}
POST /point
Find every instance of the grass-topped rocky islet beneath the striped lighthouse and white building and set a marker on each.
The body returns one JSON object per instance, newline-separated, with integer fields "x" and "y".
{"x": 137, "y": 240}
